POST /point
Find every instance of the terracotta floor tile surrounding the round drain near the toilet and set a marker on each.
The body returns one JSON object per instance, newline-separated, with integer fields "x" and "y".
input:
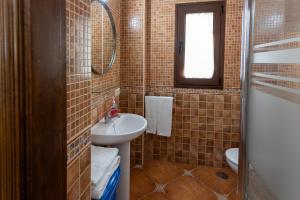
{"x": 207, "y": 175}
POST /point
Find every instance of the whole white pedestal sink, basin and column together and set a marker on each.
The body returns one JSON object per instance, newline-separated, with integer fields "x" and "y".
{"x": 119, "y": 132}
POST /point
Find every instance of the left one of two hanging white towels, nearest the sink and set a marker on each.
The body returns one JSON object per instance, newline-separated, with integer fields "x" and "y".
{"x": 151, "y": 113}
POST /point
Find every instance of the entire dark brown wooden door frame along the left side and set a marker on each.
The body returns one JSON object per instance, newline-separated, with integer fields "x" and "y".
{"x": 33, "y": 100}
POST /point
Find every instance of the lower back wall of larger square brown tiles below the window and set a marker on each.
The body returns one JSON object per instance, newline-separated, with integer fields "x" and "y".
{"x": 204, "y": 125}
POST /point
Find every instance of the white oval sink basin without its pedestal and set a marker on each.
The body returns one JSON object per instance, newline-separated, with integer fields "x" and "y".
{"x": 118, "y": 130}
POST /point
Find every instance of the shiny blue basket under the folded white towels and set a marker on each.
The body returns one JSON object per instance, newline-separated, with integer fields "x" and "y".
{"x": 110, "y": 190}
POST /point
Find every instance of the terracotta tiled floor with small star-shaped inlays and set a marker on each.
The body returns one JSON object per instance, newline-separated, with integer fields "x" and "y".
{"x": 160, "y": 180}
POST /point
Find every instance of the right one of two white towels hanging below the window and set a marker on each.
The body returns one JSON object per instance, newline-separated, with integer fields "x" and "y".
{"x": 164, "y": 116}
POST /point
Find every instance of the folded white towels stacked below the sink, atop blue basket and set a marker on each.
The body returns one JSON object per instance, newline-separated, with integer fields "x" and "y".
{"x": 101, "y": 160}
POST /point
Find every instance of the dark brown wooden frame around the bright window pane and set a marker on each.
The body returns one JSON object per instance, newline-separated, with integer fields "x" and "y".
{"x": 216, "y": 82}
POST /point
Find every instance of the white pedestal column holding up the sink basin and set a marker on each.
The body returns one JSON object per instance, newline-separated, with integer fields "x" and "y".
{"x": 123, "y": 191}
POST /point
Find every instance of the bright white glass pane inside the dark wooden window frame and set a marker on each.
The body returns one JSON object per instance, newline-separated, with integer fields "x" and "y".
{"x": 199, "y": 46}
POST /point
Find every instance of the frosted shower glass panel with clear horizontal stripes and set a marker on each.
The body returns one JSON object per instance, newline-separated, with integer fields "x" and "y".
{"x": 273, "y": 113}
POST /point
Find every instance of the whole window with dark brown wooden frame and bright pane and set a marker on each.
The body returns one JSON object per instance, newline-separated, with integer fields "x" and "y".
{"x": 200, "y": 45}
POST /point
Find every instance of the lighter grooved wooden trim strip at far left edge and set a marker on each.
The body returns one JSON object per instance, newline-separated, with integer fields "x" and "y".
{"x": 10, "y": 154}
